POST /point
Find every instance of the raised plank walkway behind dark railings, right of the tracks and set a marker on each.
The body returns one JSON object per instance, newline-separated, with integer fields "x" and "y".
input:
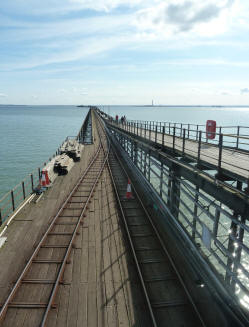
{"x": 231, "y": 163}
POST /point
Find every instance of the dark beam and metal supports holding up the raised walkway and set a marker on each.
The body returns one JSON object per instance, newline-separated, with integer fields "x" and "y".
{"x": 210, "y": 214}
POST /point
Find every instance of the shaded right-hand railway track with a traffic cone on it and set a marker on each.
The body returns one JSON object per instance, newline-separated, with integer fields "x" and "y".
{"x": 168, "y": 300}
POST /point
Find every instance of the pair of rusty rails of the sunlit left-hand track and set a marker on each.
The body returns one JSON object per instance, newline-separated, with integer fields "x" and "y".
{"x": 51, "y": 225}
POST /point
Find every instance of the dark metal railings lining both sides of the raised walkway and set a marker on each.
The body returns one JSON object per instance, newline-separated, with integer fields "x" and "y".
{"x": 224, "y": 152}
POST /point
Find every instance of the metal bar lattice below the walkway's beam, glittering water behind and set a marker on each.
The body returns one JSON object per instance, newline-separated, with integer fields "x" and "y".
{"x": 219, "y": 233}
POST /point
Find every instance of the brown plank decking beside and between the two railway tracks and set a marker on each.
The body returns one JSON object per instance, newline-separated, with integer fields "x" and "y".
{"x": 100, "y": 285}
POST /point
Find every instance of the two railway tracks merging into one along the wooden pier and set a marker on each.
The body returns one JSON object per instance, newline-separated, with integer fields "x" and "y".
{"x": 34, "y": 293}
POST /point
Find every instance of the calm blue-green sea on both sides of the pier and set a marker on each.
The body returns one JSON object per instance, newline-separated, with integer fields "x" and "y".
{"x": 31, "y": 134}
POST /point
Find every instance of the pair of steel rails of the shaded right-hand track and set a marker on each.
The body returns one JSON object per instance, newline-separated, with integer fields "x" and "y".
{"x": 160, "y": 241}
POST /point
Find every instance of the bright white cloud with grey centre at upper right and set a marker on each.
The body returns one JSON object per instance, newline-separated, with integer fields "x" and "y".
{"x": 174, "y": 17}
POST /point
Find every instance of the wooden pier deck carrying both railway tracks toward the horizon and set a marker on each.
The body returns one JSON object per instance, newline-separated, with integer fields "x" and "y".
{"x": 119, "y": 271}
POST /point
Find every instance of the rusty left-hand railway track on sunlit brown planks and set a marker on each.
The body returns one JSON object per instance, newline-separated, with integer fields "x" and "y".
{"x": 34, "y": 293}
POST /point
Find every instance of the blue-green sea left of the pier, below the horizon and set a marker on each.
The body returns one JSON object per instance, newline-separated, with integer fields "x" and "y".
{"x": 30, "y": 135}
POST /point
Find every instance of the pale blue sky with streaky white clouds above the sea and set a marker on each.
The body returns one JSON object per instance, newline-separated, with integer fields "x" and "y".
{"x": 181, "y": 52}
